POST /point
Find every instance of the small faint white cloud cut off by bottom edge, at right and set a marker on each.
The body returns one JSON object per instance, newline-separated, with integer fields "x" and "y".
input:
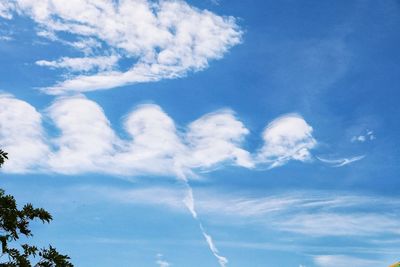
{"x": 344, "y": 261}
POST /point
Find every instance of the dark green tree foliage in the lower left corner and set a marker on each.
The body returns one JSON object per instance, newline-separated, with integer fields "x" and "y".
{"x": 14, "y": 223}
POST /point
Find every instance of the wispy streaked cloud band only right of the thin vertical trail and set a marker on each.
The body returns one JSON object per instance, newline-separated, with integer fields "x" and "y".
{"x": 309, "y": 213}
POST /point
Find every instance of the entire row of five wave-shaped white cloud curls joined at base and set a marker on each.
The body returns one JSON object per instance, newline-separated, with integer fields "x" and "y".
{"x": 86, "y": 142}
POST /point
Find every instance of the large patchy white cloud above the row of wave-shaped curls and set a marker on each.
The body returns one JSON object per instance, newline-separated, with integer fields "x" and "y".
{"x": 164, "y": 39}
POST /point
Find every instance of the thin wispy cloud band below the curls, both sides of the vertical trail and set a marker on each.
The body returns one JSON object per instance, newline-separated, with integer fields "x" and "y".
{"x": 310, "y": 213}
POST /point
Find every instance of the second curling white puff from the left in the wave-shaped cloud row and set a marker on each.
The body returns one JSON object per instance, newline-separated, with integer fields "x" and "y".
{"x": 86, "y": 141}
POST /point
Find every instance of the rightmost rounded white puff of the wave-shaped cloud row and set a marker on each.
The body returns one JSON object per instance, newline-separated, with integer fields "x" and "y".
{"x": 287, "y": 138}
